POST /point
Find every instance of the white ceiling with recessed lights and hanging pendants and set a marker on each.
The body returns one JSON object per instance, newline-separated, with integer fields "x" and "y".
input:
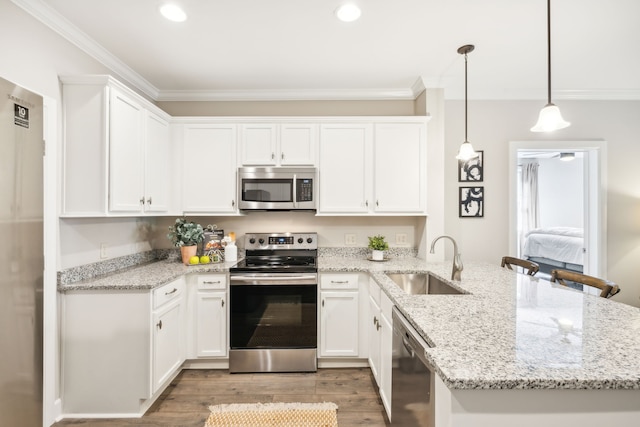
{"x": 297, "y": 49}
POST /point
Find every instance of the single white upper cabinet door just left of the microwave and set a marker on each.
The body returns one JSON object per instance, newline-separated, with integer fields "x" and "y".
{"x": 209, "y": 168}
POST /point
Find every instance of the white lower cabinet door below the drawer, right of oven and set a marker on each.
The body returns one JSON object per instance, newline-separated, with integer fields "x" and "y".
{"x": 339, "y": 324}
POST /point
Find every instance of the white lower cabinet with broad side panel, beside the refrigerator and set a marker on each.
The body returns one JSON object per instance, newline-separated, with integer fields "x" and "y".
{"x": 119, "y": 347}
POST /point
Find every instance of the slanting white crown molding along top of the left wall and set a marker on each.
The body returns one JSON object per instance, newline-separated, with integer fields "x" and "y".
{"x": 52, "y": 19}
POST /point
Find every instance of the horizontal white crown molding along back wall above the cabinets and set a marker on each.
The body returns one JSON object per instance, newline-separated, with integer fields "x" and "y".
{"x": 288, "y": 95}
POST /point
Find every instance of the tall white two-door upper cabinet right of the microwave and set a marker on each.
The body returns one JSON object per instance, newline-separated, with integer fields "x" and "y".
{"x": 373, "y": 168}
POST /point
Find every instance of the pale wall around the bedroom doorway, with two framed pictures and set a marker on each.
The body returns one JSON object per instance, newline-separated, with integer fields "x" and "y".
{"x": 492, "y": 124}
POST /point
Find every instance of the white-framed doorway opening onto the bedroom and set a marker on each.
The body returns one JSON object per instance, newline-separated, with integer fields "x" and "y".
{"x": 557, "y": 205}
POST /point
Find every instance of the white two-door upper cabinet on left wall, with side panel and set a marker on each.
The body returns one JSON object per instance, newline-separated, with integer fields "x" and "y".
{"x": 115, "y": 145}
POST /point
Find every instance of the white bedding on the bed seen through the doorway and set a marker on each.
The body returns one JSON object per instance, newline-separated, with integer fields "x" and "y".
{"x": 563, "y": 244}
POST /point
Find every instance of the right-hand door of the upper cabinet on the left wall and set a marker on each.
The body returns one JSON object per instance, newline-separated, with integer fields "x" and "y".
{"x": 156, "y": 164}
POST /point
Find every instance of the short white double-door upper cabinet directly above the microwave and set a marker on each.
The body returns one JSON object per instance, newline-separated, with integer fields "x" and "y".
{"x": 272, "y": 144}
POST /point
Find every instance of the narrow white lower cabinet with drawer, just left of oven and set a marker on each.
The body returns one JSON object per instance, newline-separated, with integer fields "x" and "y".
{"x": 211, "y": 316}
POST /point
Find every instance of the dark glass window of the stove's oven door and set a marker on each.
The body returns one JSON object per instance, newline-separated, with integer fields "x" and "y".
{"x": 273, "y": 316}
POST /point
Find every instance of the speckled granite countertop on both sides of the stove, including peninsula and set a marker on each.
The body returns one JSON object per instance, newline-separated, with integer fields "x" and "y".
{"x": 509, "y": 331}
